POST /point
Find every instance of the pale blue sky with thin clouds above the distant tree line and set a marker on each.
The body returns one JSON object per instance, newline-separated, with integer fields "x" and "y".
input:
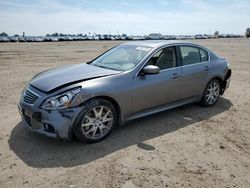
{"x": 133, "y": 17}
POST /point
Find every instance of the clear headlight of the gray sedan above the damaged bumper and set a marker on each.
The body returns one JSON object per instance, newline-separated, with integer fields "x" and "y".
{"x": 61, "y": 101}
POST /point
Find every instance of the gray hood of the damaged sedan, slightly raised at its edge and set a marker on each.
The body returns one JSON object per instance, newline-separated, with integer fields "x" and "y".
{"x": 53, "y": 79}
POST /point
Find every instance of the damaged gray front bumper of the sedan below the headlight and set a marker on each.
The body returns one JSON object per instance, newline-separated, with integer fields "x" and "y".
{"x": 53, "y": 123}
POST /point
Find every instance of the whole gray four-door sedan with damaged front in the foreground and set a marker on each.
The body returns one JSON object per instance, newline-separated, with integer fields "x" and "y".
{"x": 127, "y": 82}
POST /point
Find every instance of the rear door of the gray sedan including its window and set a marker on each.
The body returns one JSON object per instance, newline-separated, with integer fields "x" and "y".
{"x": 195, "y": 70}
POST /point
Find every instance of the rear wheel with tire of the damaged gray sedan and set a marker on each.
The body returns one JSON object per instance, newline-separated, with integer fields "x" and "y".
{"x": 211, "y": 93}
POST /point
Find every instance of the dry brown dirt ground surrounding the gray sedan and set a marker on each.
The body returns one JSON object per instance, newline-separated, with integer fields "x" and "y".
{"x": 190, "y": 146}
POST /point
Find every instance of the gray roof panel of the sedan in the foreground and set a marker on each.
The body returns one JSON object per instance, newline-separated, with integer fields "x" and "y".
{"x": 156, "y": 43}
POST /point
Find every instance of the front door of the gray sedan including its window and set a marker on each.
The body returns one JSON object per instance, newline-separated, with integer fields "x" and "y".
{"x": 152, "y": 90}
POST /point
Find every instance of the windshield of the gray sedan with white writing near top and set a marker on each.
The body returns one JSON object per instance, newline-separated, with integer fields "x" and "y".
{"x": 123, "y": 57}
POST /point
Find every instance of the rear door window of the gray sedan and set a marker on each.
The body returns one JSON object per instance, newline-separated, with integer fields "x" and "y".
{"x": 191, "y": 55}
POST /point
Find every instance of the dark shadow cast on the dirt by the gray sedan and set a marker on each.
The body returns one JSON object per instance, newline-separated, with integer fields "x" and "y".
{"x": 41, "y": 152}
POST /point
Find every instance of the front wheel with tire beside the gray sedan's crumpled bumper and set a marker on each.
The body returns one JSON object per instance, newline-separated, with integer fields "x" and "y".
{"x": 96, "y": 121}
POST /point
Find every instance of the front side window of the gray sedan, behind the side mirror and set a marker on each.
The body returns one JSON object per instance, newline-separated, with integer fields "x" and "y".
{"x": 164, "y": 58}
